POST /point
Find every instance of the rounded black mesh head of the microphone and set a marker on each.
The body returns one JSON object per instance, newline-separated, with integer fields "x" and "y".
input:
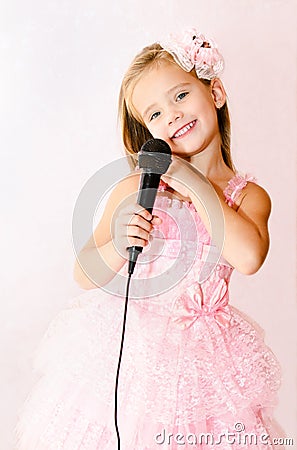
{"x": 154, "y": 156}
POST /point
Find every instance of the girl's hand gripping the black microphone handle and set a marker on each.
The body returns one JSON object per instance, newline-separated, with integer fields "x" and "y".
{"x": 132, "y": 225}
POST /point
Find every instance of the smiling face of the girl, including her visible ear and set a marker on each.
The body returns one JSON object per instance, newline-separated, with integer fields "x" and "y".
{"x": 178, "y": 108}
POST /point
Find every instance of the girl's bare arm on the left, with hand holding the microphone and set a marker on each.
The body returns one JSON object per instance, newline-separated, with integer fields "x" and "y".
{"x": 123, "y": 224}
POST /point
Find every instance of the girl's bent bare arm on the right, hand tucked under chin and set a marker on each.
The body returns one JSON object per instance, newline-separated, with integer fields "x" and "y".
{"x": 246, "y": 240}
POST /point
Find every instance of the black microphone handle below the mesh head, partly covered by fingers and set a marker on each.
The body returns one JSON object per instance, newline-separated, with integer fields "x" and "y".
{"x": 149, "y": 184}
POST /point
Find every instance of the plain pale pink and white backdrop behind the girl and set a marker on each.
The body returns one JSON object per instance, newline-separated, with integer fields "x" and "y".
{"x": 62, "y": 64}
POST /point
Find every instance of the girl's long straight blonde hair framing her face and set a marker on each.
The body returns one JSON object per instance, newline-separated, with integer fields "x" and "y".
{"x": 134, "y": 132}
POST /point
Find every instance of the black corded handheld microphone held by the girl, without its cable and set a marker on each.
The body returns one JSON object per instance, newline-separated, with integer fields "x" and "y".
{"x": 154, "y": 158}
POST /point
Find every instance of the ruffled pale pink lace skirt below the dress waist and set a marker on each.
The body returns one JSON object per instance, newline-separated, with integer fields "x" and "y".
{"x": 206, "y": 386}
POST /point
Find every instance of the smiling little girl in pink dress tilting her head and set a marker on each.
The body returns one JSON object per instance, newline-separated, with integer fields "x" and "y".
{"x": 195, "y": 371}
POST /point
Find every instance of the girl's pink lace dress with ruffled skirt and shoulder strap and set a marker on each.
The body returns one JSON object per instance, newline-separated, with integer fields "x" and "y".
{"x": 192, "y": 364}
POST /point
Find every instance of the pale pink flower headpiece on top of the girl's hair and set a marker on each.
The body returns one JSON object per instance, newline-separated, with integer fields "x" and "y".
{"x": 192, "y": 49}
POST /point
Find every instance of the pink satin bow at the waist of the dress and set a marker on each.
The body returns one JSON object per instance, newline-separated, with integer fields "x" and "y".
{"x": 191, "y": 305}
